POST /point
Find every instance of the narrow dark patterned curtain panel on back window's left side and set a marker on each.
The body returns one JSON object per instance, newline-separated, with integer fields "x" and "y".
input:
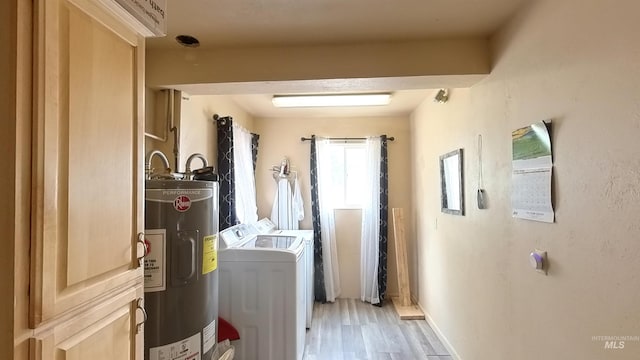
{"x": 318, "y": 274}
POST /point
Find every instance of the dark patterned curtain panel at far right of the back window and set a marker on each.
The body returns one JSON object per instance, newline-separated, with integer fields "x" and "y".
{"x": 384, "y": 217}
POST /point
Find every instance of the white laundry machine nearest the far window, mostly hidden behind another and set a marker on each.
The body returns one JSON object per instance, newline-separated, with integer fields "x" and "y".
{"x": 266, "y": 226}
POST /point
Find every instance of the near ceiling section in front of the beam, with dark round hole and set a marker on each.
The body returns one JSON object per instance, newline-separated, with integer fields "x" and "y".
{"x": 284, "y": 22}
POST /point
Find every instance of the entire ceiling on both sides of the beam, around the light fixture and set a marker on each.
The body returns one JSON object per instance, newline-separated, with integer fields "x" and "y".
{"x": 241, "y": 23}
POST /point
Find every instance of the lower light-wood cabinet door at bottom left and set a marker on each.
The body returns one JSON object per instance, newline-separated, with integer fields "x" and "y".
{"x": 109, "y": 331}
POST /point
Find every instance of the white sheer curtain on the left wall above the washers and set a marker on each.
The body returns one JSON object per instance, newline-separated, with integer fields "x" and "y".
{"x": 244, "y": 179}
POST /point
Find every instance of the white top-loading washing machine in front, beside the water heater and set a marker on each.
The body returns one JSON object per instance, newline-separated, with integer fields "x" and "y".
{"x": 261, "y": 292}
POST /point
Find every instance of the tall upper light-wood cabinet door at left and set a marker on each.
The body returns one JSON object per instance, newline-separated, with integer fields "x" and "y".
{"x": 87, "y": 157}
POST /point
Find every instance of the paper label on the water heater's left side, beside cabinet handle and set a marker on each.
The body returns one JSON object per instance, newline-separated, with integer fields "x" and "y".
{"x": 155, "y": 260}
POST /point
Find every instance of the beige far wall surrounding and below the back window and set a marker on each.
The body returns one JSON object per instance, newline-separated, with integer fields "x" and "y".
{"x": 281, "y": 137}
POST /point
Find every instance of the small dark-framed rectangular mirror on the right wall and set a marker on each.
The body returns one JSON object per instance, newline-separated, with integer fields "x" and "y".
{"x": 451, "y": 183}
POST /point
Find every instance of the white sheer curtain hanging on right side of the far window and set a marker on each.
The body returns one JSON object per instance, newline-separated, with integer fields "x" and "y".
{"x": 369, "y": 246}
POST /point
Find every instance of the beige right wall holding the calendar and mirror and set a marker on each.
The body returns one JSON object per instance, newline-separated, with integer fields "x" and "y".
{"x": 576, "y": 62}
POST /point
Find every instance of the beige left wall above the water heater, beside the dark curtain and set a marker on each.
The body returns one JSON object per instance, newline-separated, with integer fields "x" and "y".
{"x": 194, "y": 118}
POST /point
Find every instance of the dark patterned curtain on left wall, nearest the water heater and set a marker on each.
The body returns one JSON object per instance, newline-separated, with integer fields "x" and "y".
{"x": 225, "y": 173}
